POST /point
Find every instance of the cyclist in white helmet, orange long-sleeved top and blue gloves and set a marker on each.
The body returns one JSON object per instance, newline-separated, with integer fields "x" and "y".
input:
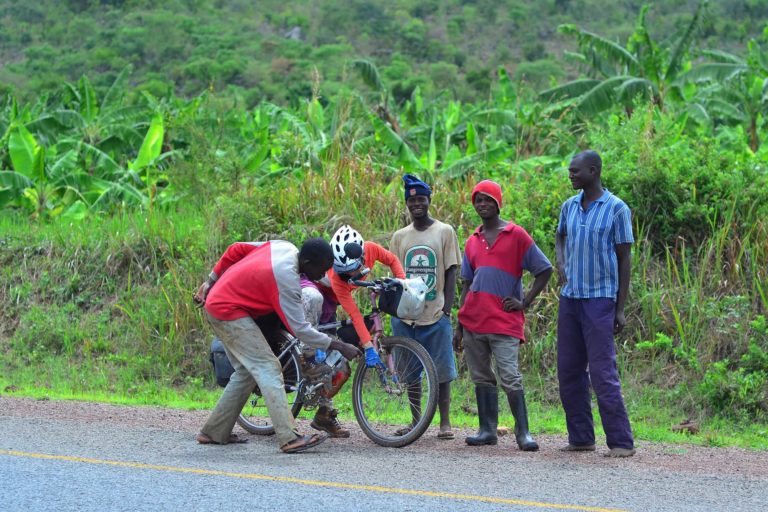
{"x": 352, "y": 260}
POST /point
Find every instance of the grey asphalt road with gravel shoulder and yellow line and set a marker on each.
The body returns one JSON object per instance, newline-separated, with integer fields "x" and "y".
{"x": 66, "y": 464}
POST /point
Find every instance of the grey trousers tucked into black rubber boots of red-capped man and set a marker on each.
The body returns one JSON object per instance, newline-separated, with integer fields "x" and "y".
{"x": 478, "y": 349}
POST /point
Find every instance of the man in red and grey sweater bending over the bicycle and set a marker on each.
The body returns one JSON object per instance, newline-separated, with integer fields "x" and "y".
{"x": 252, "y": 280}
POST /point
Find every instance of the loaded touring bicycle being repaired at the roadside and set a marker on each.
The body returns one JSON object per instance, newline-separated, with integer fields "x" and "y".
{"x": 383, "y": 398}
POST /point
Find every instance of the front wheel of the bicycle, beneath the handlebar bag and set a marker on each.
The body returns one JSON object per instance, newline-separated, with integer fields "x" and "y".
{"x": 394, "y": 406}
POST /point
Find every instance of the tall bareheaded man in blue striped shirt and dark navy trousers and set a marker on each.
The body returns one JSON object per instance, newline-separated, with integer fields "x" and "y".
{"x": 592, "y": 245}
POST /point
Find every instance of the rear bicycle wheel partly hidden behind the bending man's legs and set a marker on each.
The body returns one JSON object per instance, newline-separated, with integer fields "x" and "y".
{"x": 254, "y": 417}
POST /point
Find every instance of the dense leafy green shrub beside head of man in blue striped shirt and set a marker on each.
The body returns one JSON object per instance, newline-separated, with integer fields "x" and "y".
{"x": 678, "y": 187}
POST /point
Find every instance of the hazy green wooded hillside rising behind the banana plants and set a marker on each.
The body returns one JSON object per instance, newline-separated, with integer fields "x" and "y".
{"x": 268, "y": 50}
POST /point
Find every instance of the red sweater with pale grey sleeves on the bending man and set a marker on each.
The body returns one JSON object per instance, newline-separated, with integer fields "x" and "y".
{"x": 259, "y": 278}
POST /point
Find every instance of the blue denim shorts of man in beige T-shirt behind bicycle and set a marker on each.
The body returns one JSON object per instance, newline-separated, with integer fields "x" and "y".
{"x": 437, "y": 338}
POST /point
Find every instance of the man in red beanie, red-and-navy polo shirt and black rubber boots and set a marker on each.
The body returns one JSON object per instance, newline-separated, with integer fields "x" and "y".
{"x": 491, "y": 317}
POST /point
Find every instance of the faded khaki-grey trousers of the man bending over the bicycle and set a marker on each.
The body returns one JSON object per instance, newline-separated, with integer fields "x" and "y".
{"x": 254, "y": 363}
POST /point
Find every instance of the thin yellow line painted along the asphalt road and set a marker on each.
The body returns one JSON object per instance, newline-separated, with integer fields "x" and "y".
{"x": 315, "y": 483}
